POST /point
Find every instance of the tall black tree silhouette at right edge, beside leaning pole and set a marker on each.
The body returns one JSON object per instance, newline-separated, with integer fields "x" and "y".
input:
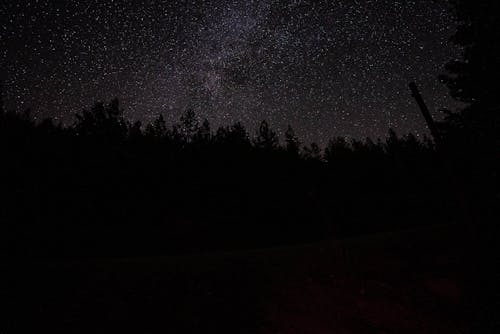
{"x": 472, "y": 135}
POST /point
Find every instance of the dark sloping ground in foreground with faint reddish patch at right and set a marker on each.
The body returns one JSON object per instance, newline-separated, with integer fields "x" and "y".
{"x": 405, "y": 282}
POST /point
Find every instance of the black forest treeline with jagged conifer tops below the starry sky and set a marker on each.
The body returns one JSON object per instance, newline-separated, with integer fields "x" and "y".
{"x": 107, "y": 187}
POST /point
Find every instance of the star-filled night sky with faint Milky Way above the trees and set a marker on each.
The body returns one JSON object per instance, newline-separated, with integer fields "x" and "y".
{"x": 328, "y": 68}
